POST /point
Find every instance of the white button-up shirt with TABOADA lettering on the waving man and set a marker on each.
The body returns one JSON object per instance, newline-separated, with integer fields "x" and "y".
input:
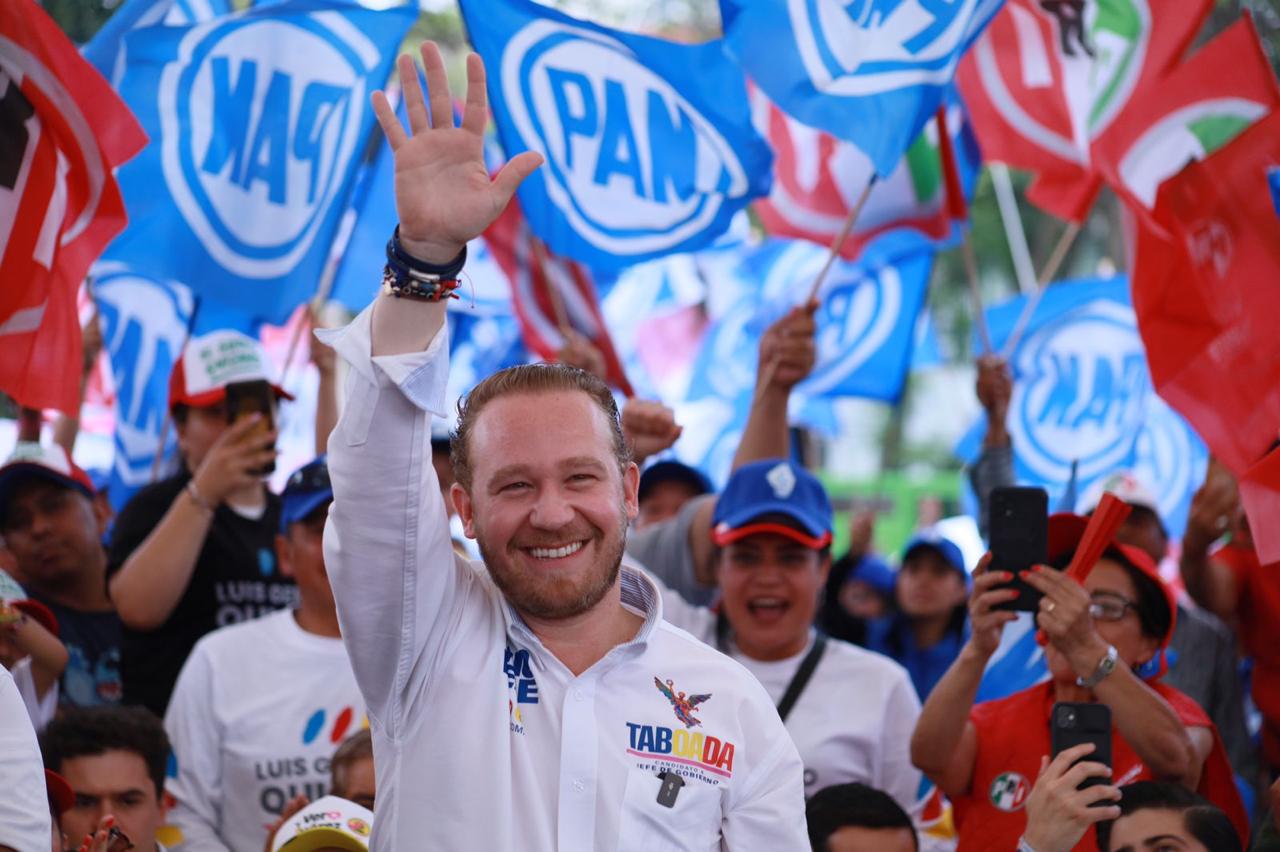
{"x": 483, "y": 740}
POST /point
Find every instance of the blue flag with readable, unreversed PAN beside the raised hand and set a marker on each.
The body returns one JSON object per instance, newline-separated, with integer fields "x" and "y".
{"x": 648, "y": 145}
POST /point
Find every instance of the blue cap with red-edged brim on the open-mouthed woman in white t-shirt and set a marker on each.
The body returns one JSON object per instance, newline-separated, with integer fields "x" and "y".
{"x": 778, "y": 488}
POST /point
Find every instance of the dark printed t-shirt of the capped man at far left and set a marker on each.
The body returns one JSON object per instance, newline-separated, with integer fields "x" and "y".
{"x": 93, "y": 640}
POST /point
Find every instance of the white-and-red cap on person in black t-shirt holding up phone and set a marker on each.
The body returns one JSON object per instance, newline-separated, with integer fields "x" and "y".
{"x": 211, "y": 363}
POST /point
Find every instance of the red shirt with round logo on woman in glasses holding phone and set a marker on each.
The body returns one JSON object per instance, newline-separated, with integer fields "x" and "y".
{"x": 1014, "y": 734}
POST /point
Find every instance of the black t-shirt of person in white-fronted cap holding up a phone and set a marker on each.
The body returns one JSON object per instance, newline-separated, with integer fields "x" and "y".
{"x": 235, "y": 580}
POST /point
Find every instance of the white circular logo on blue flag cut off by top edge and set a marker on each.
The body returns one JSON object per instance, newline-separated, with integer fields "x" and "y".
{"x": 858, "y": 48}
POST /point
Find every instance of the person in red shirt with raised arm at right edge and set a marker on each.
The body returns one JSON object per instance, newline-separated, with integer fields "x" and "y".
{"x": 1236, "y": 587}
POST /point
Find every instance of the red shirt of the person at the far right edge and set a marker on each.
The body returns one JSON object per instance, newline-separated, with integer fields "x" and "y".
{"x": 1259, "y": 615}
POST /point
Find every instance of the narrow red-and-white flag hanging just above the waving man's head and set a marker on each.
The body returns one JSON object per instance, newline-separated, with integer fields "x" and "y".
{"x": 533, "y": 272}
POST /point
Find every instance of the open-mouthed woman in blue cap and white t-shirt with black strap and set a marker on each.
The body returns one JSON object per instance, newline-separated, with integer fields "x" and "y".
{"x": 849, "y": 711}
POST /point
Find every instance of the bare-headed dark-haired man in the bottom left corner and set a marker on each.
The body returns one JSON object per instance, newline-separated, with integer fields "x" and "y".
{"x": 115, "y": 761}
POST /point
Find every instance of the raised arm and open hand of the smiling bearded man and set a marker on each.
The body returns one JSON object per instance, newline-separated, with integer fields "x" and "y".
{"x": 387, "y": 543}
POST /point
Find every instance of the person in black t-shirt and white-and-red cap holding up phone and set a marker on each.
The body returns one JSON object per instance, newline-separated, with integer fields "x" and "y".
{"x": 196, "y": 551}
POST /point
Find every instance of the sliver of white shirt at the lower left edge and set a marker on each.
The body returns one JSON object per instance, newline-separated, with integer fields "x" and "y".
{"x": 25, "y": 822}
